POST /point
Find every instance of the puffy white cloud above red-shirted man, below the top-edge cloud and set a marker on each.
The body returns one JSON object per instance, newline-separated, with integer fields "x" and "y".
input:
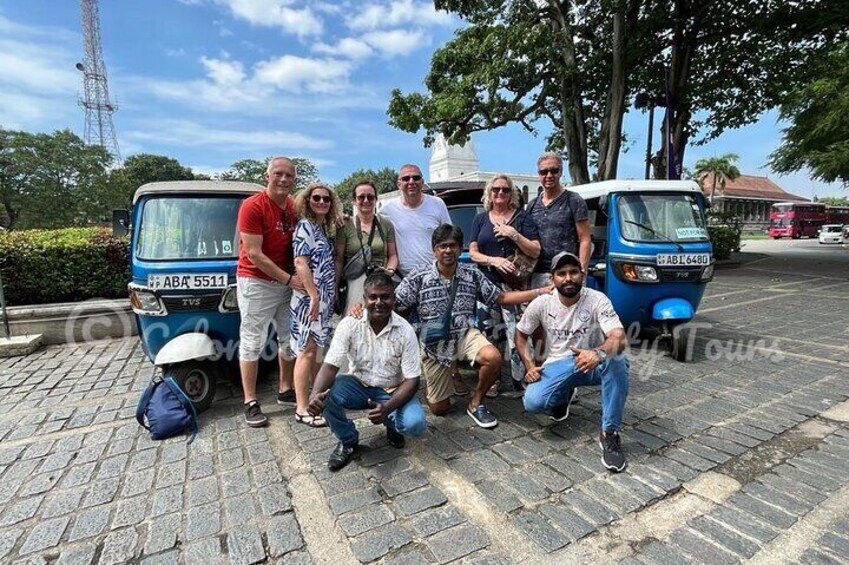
{"x": 300, "y": 74}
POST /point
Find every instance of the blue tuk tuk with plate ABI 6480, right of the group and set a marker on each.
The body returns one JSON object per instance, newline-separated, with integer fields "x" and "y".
{"x": 651, "y": 254}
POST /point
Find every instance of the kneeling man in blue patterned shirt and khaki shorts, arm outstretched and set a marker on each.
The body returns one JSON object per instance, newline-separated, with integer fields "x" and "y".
{"x": 428, "y": 291}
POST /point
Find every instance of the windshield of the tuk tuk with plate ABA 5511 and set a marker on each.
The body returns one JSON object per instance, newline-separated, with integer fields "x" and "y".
{"x": 189, "y": 228}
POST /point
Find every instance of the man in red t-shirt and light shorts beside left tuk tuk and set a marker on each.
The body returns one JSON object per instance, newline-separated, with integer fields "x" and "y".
{"x": 265, "y": 279}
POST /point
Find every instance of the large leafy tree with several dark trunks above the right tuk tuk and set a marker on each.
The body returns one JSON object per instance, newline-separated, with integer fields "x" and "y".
{"x": 574, "y": 67}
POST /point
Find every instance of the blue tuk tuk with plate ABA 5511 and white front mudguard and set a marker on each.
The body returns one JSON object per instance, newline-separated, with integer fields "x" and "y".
{"x": 184, "y": 251}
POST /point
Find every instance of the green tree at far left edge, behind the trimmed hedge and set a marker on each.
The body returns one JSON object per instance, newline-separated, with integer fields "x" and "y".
{"x": 51, "y": 180}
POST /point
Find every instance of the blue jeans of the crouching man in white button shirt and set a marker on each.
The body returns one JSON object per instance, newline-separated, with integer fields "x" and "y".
{"x": 348, "y": 393}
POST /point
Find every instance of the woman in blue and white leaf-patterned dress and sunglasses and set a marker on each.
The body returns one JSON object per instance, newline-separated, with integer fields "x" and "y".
{"x": 320, "y": 210}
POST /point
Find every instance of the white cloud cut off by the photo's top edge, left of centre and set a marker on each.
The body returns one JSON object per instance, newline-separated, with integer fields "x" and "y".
{"x": 302, "y": 22}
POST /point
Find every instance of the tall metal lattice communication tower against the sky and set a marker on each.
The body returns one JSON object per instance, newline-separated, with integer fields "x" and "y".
{"x": 98, "y": 108}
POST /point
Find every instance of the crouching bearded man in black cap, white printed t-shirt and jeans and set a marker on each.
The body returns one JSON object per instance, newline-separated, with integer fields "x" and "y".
{"x": 586, "y": 341}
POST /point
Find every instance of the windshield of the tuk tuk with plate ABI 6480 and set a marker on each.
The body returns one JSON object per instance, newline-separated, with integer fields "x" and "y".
{"x": 662, "y": 217}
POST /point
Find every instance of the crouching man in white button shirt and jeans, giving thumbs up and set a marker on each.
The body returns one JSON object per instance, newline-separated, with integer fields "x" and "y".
{"x": 384, "y": 363}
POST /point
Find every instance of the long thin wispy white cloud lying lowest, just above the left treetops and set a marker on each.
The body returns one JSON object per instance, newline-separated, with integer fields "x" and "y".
{"x": 186, "y": 133}
